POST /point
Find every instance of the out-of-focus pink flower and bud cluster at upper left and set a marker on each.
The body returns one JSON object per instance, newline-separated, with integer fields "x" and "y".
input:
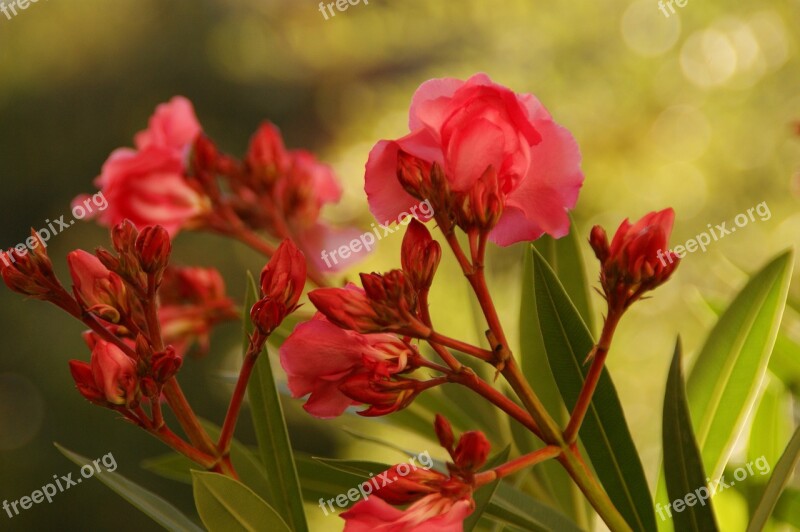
{"x": 175, "y": 177}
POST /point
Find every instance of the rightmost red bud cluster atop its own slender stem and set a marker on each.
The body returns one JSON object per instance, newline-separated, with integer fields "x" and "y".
{"x": 637, "y": 260}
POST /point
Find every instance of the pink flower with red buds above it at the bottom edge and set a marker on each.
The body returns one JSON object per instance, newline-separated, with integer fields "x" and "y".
{"x": 437, "y": 501}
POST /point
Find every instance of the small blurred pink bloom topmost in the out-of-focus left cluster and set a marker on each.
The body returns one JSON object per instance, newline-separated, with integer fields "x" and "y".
{"x": 173, "y": 125}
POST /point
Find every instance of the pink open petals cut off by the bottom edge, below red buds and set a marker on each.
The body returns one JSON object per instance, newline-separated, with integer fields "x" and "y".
{"x": 435, "y": 512}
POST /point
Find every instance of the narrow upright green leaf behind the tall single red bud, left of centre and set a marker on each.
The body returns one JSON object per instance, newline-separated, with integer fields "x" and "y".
{"x": 271, "y": 432}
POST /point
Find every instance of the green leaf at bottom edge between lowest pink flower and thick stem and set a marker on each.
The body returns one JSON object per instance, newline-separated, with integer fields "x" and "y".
{"x": 512, "y": 506}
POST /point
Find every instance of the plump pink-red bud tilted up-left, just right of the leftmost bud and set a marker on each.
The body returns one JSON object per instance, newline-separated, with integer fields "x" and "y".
{"x": 97, "y": 289}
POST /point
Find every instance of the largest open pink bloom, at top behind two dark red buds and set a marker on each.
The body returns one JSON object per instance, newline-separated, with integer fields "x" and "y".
{"x": 467, "y": 127}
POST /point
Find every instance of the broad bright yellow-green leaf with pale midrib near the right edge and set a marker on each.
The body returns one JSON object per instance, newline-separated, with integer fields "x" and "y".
{"x": 723, "y": 385}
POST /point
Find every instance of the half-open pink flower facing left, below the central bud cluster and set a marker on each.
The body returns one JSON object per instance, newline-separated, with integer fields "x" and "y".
{"x": 319, "y": 358}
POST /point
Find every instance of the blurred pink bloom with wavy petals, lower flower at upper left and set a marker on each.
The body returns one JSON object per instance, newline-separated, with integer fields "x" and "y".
{"x": 148, "y": 187}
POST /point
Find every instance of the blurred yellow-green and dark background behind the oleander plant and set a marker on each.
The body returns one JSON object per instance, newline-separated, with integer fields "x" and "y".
{"x": 692, "y": 111}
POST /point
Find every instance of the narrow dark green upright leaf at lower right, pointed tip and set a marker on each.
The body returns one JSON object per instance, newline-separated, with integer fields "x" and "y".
{"x": 683, "y": 463}
